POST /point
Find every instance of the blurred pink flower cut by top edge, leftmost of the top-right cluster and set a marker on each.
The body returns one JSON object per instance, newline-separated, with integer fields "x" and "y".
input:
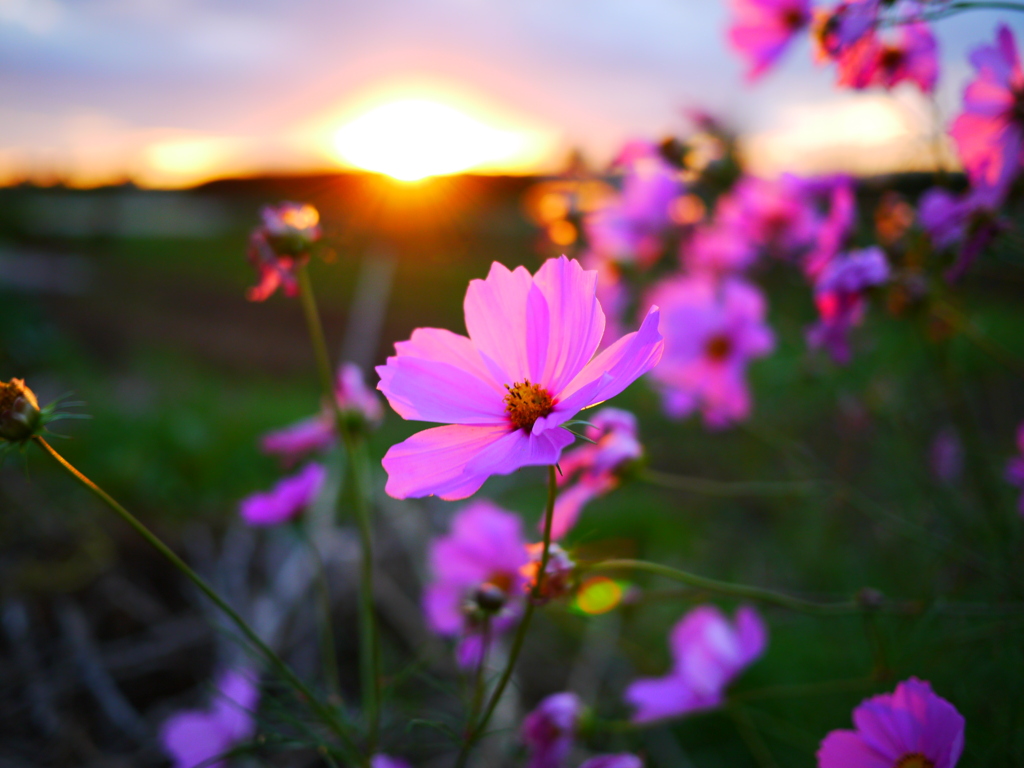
{"x": 762, "y": 30}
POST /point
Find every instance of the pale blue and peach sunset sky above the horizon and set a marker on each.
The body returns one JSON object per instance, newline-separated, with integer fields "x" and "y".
{"x": 168, "y": 93}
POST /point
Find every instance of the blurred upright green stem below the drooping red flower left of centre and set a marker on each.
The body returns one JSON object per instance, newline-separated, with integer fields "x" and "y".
{"x": 370, "y": 671}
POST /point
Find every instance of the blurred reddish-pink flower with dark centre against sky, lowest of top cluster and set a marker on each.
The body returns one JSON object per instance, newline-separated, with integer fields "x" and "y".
{"x": 910, "y": 56}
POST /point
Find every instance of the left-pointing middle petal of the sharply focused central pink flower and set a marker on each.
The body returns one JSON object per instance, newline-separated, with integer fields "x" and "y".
{"x": 430, "y": 391}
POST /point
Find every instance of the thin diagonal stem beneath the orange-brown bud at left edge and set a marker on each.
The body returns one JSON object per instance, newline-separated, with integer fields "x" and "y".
{"x": 321, "y": 710}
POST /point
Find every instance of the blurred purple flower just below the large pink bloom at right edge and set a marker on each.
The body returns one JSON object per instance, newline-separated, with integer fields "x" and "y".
{"x": 971, "y": 221}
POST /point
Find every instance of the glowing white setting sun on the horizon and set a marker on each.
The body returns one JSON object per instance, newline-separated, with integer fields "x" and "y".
{"x": 414, "y": 139}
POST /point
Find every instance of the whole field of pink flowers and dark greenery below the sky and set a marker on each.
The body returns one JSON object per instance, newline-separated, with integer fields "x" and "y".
{"x": 657, "y": 465}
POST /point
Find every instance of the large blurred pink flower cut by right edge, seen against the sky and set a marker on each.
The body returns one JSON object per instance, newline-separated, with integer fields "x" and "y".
{"x": 990, "y": 133}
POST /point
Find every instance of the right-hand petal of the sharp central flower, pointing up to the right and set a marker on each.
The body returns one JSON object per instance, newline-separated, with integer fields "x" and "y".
{"x": 624, "y": 362}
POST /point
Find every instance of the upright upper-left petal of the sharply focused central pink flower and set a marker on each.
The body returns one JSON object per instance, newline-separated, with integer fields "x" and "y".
{"x": 496, "y": 319}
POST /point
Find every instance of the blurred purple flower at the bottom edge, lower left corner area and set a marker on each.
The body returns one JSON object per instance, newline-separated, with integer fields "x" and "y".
{"x": 196, "y": 738}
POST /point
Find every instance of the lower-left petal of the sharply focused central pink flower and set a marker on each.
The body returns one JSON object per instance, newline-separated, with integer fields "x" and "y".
{"x": 435, "y": 461}
